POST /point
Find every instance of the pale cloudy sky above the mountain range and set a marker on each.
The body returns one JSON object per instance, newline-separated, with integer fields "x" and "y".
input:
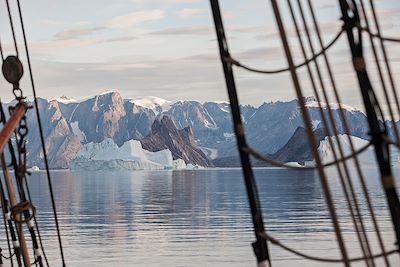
{"x": 168, "y": 48}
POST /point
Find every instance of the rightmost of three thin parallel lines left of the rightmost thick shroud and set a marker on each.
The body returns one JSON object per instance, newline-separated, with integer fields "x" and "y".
{"x": 347, "y": 130}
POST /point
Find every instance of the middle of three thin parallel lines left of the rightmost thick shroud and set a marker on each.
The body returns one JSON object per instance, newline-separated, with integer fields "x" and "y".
{"x": 345, "y": 179}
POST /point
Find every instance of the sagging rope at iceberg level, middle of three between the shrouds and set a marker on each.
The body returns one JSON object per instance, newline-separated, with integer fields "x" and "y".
{"x": 275, "y": 163}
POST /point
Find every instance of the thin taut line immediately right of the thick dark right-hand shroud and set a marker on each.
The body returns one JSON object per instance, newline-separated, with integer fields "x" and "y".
{"x": 381, "y": 77}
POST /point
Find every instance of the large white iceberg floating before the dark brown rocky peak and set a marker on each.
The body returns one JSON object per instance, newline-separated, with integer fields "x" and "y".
{"x": 130, "y": 156}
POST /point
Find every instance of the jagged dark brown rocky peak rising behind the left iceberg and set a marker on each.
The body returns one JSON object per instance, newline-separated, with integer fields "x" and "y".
{"x": 165, "y": 135}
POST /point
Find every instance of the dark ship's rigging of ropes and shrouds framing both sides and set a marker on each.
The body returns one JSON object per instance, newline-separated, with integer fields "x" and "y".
{"x": 19, "y": 212}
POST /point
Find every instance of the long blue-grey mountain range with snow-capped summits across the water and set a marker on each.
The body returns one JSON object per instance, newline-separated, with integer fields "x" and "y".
{"x": 70, "y": 124}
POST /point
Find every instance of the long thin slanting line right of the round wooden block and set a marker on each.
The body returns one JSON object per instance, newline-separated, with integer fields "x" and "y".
{"x": 42, "y": 137}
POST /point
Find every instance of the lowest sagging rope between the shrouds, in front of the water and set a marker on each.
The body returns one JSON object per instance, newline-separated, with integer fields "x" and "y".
{"x": 315, "y": 258}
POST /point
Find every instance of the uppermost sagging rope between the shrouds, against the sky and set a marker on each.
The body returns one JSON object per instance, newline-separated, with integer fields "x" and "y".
{"x": 306, "y": 62}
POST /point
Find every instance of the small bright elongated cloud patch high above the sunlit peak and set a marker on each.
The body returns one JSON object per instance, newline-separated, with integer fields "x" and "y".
{"x": 134, "y": 18}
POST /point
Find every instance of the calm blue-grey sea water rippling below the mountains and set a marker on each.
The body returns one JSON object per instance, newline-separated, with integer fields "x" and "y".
{"x": 193, "y": 218}
